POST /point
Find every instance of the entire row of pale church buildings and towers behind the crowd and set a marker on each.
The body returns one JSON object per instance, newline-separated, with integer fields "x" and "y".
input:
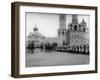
{"x": 77, "y": 33}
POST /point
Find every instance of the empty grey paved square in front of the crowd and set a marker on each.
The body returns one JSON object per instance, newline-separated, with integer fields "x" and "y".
{"x": 39, "y": 58}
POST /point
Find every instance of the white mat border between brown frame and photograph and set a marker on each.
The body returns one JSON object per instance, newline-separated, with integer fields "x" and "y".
{"x": 53, "y": 69}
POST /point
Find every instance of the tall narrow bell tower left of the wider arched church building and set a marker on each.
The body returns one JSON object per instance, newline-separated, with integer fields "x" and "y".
{"x": 62, "y": 31}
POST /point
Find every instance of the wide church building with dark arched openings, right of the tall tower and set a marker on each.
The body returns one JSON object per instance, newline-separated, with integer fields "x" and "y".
{"x": 78, "y": 32}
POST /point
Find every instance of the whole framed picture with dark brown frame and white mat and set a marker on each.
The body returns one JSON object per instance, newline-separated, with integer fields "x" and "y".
{"x": 53, "y": 39}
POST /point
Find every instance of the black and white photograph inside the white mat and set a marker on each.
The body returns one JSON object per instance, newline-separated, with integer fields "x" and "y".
{"x": 56, "y": 39}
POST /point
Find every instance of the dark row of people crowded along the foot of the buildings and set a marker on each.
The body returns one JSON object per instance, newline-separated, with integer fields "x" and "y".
{"x": 49, "y": 47}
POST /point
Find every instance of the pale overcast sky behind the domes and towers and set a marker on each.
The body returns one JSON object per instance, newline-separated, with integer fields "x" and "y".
{"x": 48, "y": 24}
